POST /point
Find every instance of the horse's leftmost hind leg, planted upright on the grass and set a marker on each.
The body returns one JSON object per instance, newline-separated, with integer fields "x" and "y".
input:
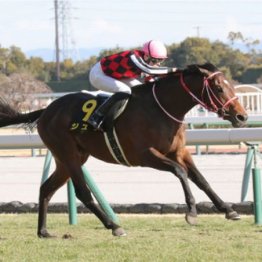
{"x": 47, "y": 190}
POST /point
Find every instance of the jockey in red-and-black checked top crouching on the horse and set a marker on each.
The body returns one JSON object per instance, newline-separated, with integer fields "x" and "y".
{"x": 119, "y": 72}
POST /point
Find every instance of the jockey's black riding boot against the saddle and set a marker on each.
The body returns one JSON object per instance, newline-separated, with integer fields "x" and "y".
{"x": 107, "y": 110}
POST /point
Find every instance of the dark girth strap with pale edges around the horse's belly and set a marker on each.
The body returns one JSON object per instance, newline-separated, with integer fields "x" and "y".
{"x": 115, "y": 148}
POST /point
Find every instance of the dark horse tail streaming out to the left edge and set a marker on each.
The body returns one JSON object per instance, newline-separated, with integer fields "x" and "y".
{"x": 9, "y": 116}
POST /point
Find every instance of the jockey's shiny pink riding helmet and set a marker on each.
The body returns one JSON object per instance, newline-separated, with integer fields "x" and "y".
{"x": 155, "y": 49}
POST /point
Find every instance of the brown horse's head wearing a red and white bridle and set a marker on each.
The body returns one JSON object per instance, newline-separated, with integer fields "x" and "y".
{"x": 218, "y": 95}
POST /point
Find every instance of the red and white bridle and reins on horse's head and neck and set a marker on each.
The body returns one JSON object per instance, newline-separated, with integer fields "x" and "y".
{"x": 221, "y": 110}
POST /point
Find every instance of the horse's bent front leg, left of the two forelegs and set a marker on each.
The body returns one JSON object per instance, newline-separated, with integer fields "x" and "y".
{"x": 155, "y": 159}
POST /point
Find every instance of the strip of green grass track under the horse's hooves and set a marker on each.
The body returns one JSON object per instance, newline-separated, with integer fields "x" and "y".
{"x": 150, "y": 238}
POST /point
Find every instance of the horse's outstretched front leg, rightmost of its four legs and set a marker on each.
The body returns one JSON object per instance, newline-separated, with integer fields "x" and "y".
{"x": 195, "y": 175}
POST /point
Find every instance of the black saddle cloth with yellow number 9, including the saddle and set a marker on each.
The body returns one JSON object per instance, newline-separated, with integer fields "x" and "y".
{"x": 109, "y": 109}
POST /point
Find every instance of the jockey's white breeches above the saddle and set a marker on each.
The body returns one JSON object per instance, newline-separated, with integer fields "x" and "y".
{"x": 109, "y": 84}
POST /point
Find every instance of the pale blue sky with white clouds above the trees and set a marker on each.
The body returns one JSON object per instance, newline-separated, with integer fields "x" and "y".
{"x": 29, "y": 24}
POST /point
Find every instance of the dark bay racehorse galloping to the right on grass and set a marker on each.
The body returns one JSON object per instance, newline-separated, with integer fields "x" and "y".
{"x": 151, "y": 132}
